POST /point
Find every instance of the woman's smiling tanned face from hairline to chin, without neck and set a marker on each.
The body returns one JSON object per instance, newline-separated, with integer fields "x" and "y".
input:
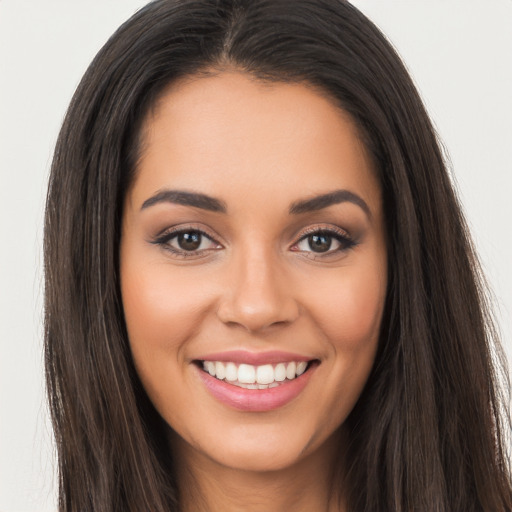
{"x": 253, "y": 268}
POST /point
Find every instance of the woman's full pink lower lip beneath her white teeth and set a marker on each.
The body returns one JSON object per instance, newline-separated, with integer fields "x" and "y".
{"x": 256, "y": 400}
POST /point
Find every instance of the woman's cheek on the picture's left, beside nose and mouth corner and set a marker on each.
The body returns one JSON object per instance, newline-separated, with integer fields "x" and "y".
{"x": 164, "y": 309}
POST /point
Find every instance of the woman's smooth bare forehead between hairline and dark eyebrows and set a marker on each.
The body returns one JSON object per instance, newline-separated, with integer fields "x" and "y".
{"x": 237, "y": 136}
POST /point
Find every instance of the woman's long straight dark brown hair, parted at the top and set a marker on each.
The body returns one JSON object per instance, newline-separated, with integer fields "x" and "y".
{"x": 428, "y": 431}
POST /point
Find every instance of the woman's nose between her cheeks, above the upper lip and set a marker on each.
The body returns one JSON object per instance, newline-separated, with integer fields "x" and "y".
{"x": 258, "y": 294}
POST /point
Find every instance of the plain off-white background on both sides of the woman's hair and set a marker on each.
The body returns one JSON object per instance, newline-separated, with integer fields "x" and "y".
{"x": 458, "y": 51}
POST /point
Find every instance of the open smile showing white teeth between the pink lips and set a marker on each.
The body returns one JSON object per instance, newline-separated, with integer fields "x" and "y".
{"x": 248, "y": 376}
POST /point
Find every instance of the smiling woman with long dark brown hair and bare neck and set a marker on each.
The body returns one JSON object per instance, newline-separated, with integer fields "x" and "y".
{"x": 261, "y": 293}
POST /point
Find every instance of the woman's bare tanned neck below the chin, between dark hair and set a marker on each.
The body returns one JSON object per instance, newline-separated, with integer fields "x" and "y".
{"x": 206, "y": 486}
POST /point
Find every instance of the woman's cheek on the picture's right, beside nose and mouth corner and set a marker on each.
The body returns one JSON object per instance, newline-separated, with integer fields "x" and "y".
{"x": 348, "y": 313}
